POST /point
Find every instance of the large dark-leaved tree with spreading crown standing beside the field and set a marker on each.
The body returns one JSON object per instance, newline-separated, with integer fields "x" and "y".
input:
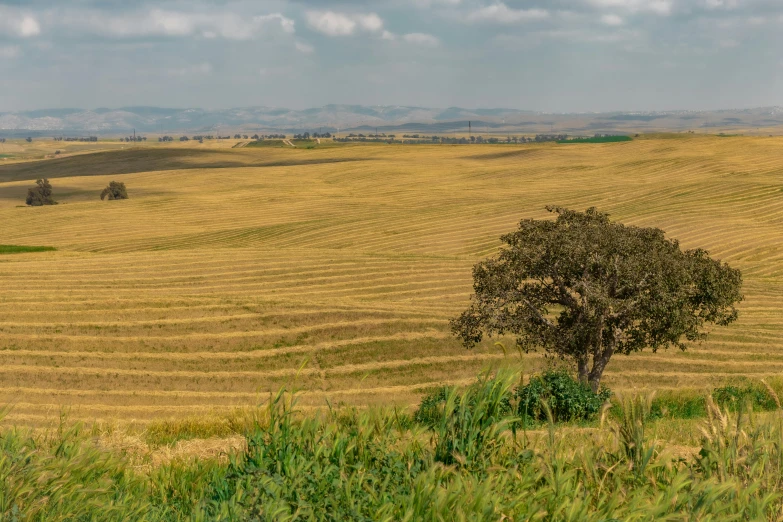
{"x": 585, "y": 288}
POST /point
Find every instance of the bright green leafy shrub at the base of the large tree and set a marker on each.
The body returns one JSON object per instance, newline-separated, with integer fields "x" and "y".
{"x": 565, "y": 397}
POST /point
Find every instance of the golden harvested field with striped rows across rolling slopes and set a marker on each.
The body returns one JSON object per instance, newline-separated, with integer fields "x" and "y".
{"x": 233, "y": 272}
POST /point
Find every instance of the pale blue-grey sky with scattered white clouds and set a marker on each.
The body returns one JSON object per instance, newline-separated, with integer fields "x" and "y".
{"x": 549, "y": 55}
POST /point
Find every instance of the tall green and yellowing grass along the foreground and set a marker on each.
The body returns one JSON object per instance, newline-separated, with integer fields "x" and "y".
{"x": 474, "y": 462}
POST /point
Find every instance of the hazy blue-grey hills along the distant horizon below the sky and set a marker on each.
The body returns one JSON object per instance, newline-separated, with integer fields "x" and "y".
{"x": 389, "y": 118}
